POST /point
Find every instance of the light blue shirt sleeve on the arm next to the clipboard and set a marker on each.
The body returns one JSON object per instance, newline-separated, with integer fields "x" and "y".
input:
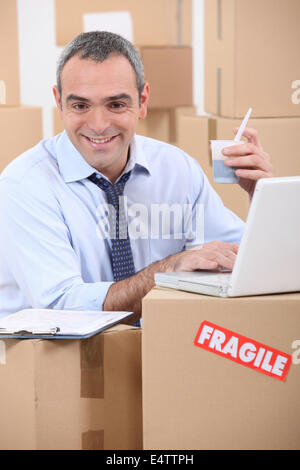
{"x": 35, "y": 243}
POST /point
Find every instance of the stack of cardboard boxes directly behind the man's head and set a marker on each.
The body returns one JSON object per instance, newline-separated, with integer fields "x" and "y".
{"x": 162, "y": 32}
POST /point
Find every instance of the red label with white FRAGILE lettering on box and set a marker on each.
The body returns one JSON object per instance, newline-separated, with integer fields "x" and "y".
{"x": 243, "y": 350}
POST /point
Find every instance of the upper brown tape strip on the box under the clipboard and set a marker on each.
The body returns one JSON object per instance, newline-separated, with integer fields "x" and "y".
{"x": 92, "y": 367}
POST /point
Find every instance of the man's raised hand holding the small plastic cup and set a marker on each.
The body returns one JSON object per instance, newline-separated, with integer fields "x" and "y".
{"x": 250, "y": 158}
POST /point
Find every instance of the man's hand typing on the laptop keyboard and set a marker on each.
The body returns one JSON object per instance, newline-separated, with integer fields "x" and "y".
{"x": 212, "y": 255}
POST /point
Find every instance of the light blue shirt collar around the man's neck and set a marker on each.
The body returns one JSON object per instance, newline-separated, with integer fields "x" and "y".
{"x": 73, "y": 167}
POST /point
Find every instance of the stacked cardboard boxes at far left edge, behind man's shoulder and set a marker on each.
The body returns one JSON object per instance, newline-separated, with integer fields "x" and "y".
{"x": 21, "y": 126}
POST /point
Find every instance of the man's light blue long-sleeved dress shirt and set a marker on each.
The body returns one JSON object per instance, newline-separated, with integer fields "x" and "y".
{"x": 52, "y": 253}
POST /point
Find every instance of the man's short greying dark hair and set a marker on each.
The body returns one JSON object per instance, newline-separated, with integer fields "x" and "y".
{"x": 98, "y": 46}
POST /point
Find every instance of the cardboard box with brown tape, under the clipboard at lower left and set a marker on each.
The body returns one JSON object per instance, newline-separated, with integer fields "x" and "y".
{"x": 72, "y": 394}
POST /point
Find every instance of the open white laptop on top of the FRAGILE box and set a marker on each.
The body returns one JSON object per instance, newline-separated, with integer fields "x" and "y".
{"x": 268, "y": 260}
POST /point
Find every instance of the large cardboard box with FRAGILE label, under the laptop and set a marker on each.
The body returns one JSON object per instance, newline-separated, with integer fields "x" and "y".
{"x": 195, "y": 399}
